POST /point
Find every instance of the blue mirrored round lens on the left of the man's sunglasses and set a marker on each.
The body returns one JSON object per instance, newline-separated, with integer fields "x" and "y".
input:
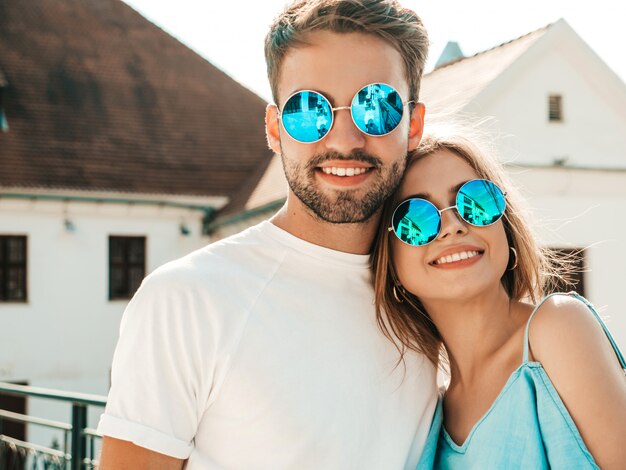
{"x": 307, "y": 116}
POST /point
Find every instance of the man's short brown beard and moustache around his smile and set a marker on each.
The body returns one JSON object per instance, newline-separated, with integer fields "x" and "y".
{"x": 343, "y": 206}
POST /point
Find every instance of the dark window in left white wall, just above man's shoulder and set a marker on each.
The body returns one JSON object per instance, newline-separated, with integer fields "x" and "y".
{"x": 127, "y": 266}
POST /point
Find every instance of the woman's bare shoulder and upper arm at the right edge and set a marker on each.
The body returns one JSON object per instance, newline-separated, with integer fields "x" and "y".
{"x": 577, "y": 356}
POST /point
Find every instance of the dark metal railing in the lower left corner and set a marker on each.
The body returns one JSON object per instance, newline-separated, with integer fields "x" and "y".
{"x": 78, "y": 450}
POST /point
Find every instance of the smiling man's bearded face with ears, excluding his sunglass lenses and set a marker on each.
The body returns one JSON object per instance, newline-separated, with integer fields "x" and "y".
{"x": 346, "y": 176}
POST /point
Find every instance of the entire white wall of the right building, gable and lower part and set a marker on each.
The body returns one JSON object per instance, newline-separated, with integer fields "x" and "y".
{"x": 573, "y": 208}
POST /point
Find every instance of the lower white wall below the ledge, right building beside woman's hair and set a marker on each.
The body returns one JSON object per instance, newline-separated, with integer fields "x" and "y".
{"x": 582, "y": 209}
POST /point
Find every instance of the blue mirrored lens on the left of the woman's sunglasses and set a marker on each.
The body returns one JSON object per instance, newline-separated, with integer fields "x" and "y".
{"x": 416, "y": 222}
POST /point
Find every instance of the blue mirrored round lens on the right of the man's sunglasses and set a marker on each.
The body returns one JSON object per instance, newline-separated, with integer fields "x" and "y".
{"x": 377, "y": 109}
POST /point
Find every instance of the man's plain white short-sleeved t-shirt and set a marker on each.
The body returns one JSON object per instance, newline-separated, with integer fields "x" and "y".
{"x": 262, "y": 351}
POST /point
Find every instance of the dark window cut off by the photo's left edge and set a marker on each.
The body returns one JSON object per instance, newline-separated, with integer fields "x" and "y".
{"x": 12, "y": 268}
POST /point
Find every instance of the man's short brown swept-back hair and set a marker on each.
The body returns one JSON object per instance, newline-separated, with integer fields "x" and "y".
{"x": 387, "y": 19}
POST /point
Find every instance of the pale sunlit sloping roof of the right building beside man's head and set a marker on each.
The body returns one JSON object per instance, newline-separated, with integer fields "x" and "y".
{"x": 450, "y": 87}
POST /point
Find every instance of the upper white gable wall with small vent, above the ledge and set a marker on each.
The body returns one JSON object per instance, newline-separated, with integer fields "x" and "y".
{"x": 593, "y": 131}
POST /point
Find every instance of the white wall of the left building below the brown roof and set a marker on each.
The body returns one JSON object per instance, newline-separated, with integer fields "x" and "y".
{"x": 63, "y": 337}
